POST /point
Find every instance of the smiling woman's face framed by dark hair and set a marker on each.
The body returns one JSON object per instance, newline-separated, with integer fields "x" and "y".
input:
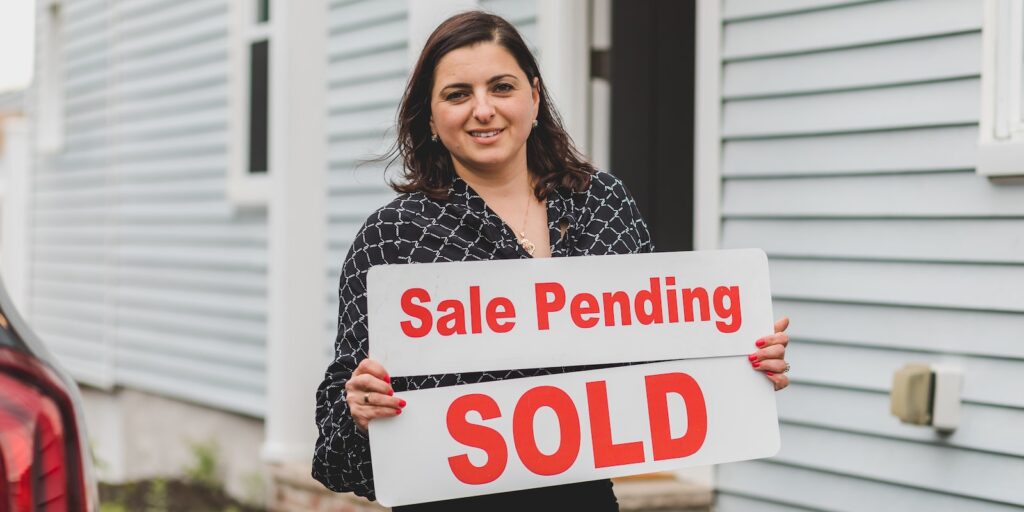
{"x": 483, "y": 108}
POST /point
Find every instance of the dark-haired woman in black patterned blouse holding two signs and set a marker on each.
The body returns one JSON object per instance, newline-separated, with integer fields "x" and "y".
{"x": 490, "y": 175}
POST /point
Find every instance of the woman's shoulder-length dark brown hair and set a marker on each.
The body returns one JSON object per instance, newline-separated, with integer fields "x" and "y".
{"x": 551, "y": 157}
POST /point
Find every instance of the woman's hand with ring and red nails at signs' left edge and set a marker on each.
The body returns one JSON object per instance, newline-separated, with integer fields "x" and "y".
{"x": 370, "y": 396}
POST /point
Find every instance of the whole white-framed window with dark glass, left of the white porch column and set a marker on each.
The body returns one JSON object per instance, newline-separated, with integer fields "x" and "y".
{"x": 250, "y": 98}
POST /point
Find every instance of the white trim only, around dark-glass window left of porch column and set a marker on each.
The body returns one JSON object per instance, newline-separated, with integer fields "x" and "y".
{"x": 246, "y": 190}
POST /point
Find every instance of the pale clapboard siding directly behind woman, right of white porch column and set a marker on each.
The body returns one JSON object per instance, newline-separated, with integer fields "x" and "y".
{"x": 369, "y": 64}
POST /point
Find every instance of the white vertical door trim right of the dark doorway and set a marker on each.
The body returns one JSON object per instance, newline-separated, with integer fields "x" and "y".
{"x": 707, "y": 131}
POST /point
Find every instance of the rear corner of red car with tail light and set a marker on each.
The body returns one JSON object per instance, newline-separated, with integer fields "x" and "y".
{"x": 46, "y": 465}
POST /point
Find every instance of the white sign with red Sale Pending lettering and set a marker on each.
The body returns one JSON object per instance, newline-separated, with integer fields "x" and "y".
{"x": 467, "y": 317}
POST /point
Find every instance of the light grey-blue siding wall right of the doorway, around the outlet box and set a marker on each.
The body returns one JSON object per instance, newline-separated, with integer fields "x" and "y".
{"x": 849, "y": 135}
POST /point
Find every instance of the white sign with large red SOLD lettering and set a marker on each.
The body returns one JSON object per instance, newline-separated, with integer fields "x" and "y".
{"x": 482, "y": 439}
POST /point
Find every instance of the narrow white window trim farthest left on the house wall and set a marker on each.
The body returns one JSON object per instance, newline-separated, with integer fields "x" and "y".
{"x": 51, "y": 104}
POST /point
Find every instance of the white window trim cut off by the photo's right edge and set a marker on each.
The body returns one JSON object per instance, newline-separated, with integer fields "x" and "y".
{"x": 1001, "y": 145}
